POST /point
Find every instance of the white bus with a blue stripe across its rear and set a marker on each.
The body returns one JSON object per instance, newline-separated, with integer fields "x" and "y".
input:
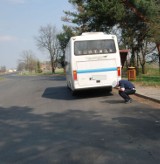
{"x": 92, "y": 60}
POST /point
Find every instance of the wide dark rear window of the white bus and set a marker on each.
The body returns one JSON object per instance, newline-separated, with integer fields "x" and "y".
{"x": 91, "y": 47}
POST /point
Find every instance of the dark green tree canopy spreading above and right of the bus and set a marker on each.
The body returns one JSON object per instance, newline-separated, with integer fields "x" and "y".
{"x": 137, "y": 19}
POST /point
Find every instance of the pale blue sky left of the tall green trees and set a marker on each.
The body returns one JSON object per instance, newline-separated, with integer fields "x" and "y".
{"x": 20, "y": 21}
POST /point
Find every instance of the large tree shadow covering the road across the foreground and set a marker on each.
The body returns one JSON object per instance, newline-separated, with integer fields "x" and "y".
{"x": 75, "y": 136}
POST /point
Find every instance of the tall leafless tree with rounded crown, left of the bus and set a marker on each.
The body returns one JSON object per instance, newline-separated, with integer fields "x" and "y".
{"x": 47, "y": 40}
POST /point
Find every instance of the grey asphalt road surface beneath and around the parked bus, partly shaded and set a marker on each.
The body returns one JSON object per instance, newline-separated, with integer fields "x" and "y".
{"x": 42, "y": 123}
